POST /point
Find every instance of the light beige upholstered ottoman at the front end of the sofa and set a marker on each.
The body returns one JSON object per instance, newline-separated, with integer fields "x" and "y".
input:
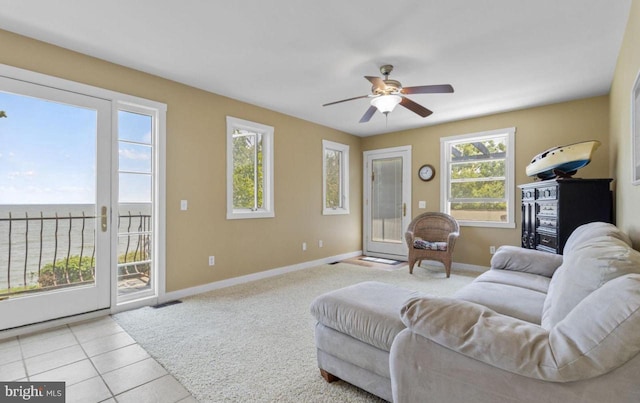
{"x": 355, "y": 329}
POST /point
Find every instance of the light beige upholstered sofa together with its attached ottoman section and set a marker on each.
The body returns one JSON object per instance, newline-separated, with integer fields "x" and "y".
{"x": 536, "y": 327}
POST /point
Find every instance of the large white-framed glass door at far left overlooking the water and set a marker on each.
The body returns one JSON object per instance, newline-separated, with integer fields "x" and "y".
{"x": 55, "y": 214}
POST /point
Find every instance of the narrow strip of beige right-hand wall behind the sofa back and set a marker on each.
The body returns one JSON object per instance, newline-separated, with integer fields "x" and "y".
{"x": 627, "y": 195}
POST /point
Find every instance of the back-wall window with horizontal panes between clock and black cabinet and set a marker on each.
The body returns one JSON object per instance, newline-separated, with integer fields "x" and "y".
{"x": 478, "y": 169}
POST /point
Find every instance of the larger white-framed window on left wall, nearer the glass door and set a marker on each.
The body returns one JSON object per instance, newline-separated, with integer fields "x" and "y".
{"x": 249, "y": 169}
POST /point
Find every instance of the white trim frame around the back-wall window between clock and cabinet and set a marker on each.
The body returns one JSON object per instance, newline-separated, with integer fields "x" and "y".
{"x": 509, "y": 183}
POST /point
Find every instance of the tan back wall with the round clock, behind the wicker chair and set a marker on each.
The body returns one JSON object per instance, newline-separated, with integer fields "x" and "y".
{"x": 537, "y": 129}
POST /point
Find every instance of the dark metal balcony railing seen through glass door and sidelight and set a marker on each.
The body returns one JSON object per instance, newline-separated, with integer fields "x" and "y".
{"x": 45, "y": 252}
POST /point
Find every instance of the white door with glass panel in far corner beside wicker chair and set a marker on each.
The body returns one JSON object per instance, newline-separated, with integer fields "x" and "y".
{"x": 387, "y": 206}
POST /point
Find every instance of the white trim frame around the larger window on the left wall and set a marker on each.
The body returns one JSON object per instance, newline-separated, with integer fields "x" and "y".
{"x": 267, "y": 162}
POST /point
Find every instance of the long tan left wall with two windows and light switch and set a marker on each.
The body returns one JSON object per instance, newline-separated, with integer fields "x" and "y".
{"x": 196, "y": 171}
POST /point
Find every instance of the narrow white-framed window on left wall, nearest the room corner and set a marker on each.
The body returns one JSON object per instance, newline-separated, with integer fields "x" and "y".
{"x": 335, "y": 178}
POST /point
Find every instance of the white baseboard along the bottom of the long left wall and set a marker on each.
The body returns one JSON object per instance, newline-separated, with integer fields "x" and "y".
{"x": 186, "y": 292}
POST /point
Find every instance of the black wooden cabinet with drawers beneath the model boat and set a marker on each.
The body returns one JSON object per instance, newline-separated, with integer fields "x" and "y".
{"x": 552, "y": 209}
